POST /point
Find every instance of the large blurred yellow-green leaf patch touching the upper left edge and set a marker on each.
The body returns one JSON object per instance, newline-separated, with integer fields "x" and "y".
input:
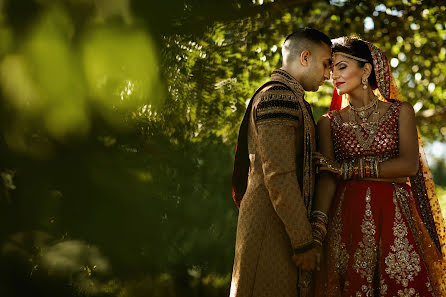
{"x": 43, "y": 84}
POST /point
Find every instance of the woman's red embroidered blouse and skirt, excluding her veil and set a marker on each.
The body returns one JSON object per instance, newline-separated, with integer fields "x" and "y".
{"x": 377, "y": 244}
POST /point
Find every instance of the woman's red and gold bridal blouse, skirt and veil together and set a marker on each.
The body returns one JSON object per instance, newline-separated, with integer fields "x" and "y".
{"x": 384, "y": 239}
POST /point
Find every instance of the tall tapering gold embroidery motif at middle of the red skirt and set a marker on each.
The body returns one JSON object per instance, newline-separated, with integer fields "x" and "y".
{"x": 365, "y": 255}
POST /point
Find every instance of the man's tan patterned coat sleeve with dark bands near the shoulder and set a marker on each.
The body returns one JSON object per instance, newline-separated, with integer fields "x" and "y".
{"x": 277, "y": 121}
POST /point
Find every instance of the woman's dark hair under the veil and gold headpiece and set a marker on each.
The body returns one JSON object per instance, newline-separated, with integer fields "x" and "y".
{"x": 357, "y": 47}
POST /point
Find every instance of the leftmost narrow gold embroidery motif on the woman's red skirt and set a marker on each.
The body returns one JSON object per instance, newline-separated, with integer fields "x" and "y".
{"x": 340, "y": 253}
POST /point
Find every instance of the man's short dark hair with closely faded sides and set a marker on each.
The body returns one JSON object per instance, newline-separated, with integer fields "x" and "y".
{"x": 303, "y": 39}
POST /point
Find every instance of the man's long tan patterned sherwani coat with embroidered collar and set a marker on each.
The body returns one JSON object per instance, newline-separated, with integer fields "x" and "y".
{"x": 273, "y": 218}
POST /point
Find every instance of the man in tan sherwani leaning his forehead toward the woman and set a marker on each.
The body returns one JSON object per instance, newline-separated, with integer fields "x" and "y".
{"x": 273, "y": 178}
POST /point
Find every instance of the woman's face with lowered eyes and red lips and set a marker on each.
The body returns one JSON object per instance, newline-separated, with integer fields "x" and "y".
{"x": 347, "y": 74}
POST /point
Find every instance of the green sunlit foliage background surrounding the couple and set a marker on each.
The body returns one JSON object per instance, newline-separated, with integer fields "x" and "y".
{"x": 118, "y": 121}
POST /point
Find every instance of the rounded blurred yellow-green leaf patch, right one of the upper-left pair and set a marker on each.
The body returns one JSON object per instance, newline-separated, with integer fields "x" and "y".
{"x": 121, "y": 69}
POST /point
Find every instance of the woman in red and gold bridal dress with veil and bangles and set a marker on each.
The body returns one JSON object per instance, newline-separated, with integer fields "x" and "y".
{"x": 385, "y": 237}
